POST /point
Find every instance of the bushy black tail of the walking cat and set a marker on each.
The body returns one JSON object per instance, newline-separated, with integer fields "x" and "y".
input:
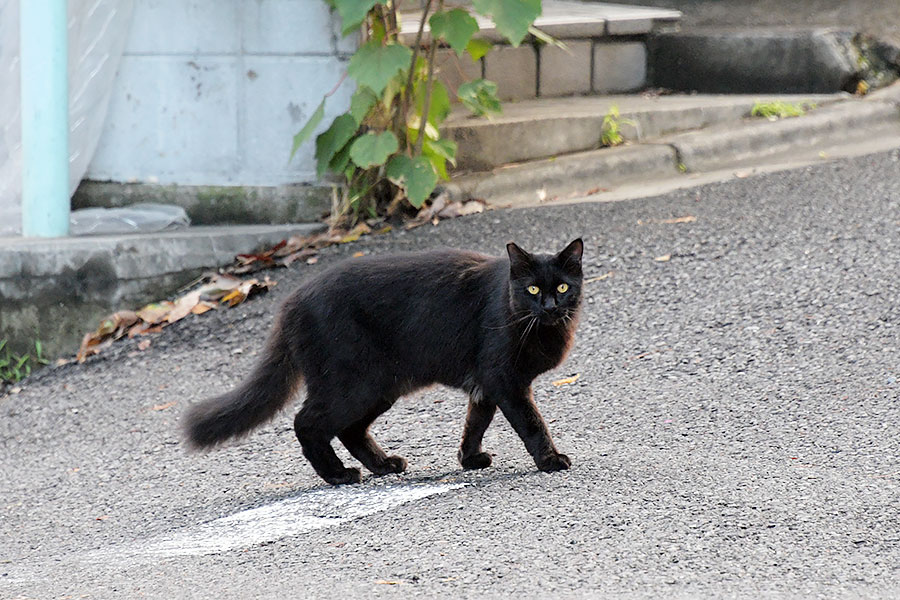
{"x": 256, "y": 400}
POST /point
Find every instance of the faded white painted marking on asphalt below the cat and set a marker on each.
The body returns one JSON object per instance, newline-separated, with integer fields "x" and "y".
{"x": 292, "y": 516}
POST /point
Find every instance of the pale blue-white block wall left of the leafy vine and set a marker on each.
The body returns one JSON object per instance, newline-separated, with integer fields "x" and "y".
{"x": 210, "y": 92}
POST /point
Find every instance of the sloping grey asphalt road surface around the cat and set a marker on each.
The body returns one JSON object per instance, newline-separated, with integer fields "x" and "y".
{"x": 734, "y": 430}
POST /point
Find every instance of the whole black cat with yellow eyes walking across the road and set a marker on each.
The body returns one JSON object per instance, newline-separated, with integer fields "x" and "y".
{"x": 369, "y": 330}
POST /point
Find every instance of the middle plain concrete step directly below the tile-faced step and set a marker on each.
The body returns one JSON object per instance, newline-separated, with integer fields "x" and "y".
{"x": 549, "y": 127}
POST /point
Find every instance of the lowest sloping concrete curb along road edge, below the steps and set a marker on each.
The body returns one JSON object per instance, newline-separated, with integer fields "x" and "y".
{"x": 741, "y": 143}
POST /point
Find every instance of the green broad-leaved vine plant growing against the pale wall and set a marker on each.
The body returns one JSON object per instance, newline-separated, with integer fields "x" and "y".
{"x": 387, "y": 148}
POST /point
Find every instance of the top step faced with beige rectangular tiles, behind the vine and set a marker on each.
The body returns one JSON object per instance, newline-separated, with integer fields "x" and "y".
{"x": 607, "y": 51}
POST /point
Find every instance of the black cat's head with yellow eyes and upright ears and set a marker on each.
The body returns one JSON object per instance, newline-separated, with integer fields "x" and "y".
{"x": 547, "y": 286}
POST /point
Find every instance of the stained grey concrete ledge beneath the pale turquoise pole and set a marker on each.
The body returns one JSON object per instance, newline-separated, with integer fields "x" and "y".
{"x": 55, "y": 289}
